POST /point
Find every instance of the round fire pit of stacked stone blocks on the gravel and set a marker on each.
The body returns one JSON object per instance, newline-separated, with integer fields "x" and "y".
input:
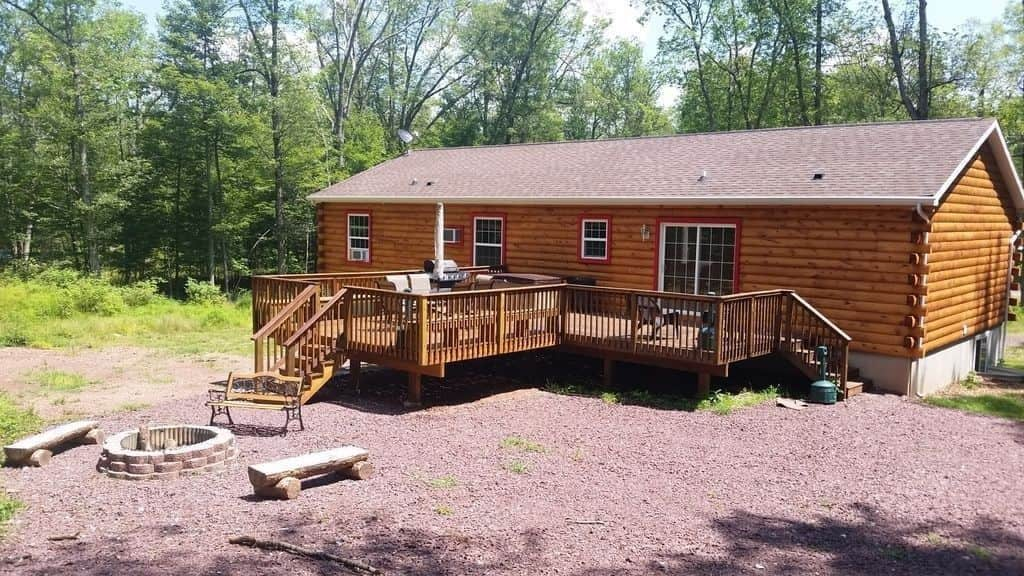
{"x": 162, "y": 452}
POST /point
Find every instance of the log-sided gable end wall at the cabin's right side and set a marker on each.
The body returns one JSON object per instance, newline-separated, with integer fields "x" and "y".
{"x": 969, "y": 266}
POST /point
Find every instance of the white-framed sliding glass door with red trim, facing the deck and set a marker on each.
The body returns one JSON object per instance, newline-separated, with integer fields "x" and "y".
{"x": 699, "y": 259}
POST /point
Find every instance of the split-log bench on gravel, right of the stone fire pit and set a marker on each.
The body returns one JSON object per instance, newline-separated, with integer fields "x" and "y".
{"x": 283, "y": 479}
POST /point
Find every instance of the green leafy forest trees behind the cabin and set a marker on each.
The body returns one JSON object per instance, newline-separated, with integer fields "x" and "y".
{"x": 188, "y": 150}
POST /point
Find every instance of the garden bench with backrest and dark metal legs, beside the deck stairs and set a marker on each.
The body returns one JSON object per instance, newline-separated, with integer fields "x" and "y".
{"x": 262, "y": 391}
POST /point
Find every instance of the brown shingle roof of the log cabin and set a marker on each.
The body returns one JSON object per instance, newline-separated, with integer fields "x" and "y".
{"x": 903, "y": 162}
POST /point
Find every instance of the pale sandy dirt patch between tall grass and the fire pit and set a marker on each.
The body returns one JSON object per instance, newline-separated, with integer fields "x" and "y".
{"x": 125, "y": 379}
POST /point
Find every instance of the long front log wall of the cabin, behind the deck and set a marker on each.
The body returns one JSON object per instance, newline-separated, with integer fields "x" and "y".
{"x": 856, "y": 265}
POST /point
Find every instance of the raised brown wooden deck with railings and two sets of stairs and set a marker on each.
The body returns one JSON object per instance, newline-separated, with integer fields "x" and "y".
{"x": 309, "y": 323}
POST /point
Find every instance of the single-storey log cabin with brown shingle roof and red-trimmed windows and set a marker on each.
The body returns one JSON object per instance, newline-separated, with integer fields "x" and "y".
{"x": 902, "y": 234}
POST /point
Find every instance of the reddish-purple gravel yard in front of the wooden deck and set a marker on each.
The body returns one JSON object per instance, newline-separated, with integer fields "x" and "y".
{"x": 879, "y": 485}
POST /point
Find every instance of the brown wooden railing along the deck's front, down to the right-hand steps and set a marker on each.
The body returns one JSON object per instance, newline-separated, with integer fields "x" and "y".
{"x": 433, "y": 330}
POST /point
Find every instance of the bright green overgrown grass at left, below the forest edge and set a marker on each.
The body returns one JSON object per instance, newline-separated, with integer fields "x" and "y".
{"x": 76, "y": 313}
